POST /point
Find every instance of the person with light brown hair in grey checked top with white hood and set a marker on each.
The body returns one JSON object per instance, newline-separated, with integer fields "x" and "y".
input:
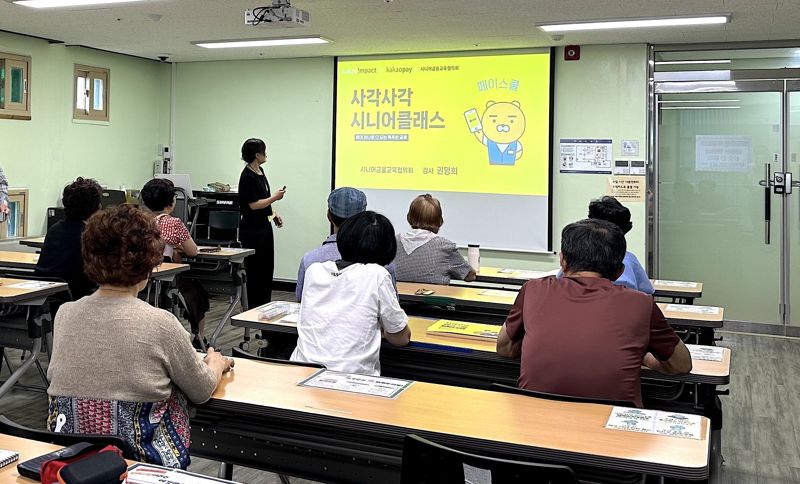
{"x": 423, "y": 255}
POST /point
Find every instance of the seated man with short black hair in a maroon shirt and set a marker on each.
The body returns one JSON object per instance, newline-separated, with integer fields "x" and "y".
{"x": 581, "y": 335}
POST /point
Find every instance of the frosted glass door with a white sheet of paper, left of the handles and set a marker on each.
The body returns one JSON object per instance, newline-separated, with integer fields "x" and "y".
{"x": 715, "y": 143}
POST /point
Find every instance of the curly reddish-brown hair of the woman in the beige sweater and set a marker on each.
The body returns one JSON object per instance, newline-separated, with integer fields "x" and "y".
{"x": 121, "y": 246}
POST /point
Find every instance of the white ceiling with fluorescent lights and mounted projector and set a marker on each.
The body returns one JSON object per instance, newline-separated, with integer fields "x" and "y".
{"x": 378, "y": 26}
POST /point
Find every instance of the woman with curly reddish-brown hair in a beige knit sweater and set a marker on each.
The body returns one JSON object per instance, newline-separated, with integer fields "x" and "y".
{"x": 120, "y": 365}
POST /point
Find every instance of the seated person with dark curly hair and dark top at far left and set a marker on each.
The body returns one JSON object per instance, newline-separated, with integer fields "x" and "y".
{"x": 61, "y": 253}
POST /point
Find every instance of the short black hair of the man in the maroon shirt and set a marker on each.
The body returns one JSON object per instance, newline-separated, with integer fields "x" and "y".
{"x": 593, "y": 245}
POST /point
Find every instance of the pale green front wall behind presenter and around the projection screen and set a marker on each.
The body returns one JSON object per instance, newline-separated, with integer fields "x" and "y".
{"x": 290, "y": 104}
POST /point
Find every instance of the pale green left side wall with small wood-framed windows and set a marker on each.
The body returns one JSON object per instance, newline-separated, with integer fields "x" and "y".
{"x": 51, "y": 149}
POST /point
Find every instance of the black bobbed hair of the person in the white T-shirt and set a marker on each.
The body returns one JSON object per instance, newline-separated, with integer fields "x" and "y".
{"x": 367, "y": 238}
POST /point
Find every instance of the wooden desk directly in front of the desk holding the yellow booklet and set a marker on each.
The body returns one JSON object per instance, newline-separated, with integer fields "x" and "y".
{"x": 500, "y": 302}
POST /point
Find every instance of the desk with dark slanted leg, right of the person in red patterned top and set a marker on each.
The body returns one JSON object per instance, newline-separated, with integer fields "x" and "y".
{"x": 209, "y": 269}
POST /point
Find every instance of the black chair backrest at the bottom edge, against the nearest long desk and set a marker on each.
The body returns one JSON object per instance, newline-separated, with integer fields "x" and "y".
{"x": 425, "y": 462}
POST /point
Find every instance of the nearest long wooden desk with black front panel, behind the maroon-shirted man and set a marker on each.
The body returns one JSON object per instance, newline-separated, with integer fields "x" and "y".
{"x": 259, "y": 417}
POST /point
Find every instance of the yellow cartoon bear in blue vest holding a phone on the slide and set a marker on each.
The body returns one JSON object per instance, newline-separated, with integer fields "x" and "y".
{"x": 501, "y": 128}
